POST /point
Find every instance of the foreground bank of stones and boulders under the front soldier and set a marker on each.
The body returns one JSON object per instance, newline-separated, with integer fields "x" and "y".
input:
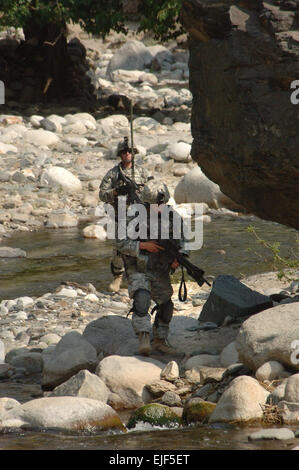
{"x": 73, "y": 352}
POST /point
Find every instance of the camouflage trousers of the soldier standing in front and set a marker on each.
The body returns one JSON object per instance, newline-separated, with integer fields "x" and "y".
{"x": 160, "y": 290}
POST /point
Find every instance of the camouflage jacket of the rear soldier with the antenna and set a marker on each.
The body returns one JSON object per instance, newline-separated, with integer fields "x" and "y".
{"x": 113, "y": 178}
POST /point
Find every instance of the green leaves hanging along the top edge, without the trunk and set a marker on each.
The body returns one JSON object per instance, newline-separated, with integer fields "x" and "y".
{"x": 97, "y": 17}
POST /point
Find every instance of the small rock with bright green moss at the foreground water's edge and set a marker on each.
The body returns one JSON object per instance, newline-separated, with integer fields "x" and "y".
{"x": 155, "y": 414}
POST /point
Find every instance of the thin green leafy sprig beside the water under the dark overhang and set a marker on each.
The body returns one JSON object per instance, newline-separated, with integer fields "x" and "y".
{"x": 284, "y": 266}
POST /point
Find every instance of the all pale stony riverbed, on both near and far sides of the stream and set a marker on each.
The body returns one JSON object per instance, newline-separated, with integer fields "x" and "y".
{"x": 68, "y": 359}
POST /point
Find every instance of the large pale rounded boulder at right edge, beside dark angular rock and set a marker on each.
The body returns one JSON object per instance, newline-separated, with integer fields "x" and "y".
{"x": 270, "y": 336}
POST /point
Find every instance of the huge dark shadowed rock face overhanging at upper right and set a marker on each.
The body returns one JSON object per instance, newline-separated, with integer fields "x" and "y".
{"x": 243, "y": 59}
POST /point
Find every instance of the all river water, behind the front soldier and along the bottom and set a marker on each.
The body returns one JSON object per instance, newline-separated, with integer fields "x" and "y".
{"x": 60, "y": 255}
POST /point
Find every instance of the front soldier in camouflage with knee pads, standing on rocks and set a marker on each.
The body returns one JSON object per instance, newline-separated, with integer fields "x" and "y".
{"x": 148, "y": 267}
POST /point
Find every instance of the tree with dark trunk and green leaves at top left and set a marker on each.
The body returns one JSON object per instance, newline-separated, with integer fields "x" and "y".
{"x": 44, "y": 23}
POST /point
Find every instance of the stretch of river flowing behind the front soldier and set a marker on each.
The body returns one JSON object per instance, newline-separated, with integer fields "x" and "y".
{"x": 60, "y": 255}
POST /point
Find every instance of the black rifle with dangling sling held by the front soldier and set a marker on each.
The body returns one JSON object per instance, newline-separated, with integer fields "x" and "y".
{"x": 193, "y": 271}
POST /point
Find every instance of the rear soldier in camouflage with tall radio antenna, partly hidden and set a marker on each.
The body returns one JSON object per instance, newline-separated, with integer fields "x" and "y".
{"x": 111, "y": 187}
